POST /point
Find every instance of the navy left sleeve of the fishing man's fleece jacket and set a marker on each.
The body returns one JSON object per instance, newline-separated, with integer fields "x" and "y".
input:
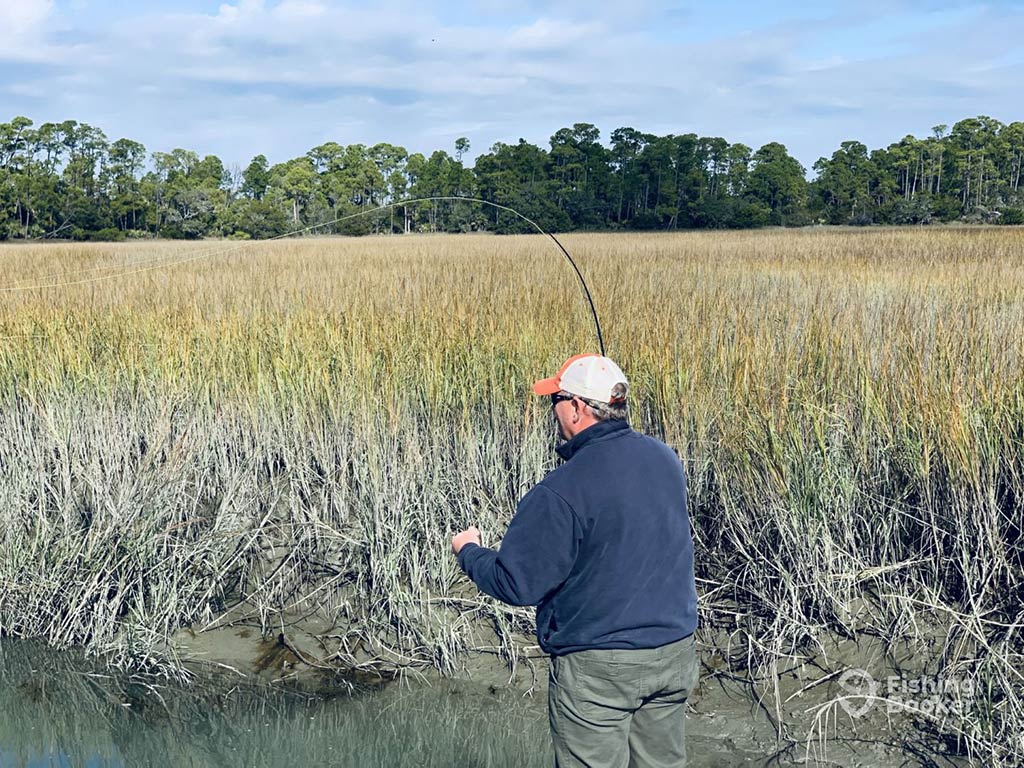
{"x": 537, "y": 552}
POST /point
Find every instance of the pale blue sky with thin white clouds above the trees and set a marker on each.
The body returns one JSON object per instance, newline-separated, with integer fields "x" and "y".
{"x": 280, "y": 77}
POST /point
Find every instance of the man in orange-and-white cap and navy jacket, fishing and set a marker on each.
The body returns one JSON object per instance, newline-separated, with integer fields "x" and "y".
{"x": 603, "y": 547}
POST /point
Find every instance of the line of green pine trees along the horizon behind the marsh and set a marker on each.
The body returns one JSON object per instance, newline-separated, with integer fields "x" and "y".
{"x": 68, "y": 181}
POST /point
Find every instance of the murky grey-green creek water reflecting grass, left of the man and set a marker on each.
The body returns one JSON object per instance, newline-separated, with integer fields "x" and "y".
{"x": 62, "y": 710}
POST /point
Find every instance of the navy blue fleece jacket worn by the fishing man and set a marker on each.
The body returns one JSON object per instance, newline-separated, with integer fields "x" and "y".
{"x": 602, "y": 546}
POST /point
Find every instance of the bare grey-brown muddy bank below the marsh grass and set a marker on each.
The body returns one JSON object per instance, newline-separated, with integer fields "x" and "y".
{"x": 733, "y": 720}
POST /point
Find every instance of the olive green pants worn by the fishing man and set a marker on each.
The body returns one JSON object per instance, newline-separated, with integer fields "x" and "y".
{"x": 613, "y": 709}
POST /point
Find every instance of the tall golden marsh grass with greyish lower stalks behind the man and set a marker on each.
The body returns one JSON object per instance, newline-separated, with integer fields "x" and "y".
{"x": 303, "y": 424}
